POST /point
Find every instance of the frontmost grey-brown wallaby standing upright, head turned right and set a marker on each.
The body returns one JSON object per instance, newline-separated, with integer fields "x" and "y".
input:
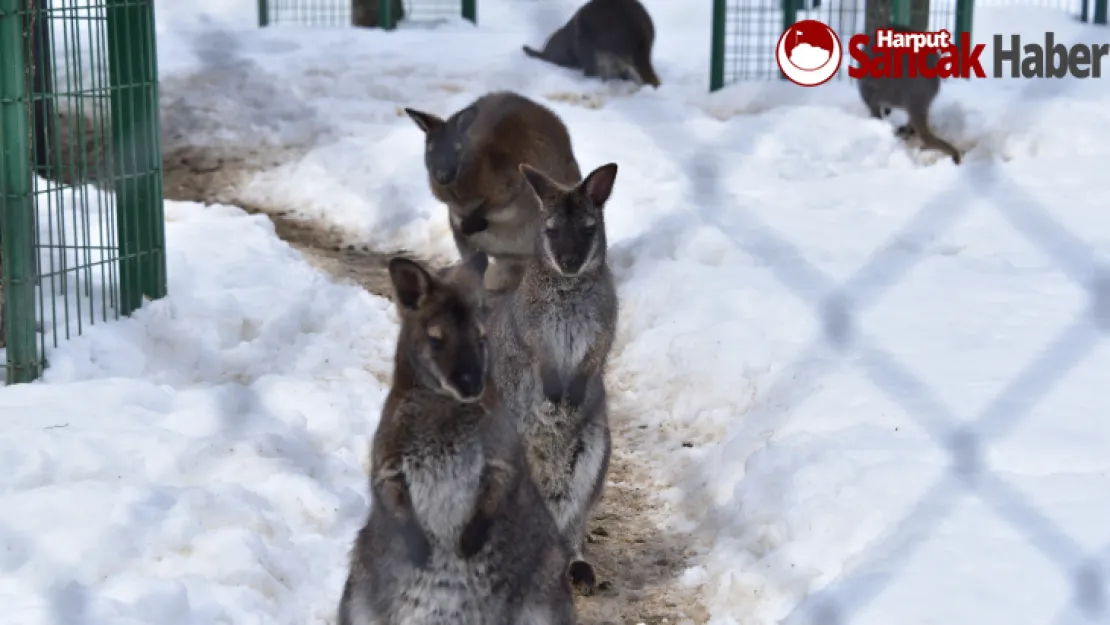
{"x": 458, "y": 532}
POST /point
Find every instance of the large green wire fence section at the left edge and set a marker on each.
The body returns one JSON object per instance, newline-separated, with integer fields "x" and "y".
{"x": 82, "y": 224}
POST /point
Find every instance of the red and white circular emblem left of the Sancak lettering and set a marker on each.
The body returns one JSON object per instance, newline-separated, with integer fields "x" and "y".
{"x": 809, "y": 54}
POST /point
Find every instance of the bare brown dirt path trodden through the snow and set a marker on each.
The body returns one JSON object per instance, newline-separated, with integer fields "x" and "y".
{"x": 638, "y": 564}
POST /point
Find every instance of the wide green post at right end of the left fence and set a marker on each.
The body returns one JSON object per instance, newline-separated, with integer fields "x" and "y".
{"x": 137, "y": 152}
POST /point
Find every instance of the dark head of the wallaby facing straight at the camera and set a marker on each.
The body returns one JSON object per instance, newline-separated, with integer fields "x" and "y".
{"x": 573, "y": 237}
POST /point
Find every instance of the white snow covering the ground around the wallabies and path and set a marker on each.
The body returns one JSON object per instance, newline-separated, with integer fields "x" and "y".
{"x": 205, "y": 460}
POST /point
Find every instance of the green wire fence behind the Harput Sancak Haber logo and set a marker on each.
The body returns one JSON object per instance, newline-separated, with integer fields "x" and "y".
{"x": 745, "y": 33}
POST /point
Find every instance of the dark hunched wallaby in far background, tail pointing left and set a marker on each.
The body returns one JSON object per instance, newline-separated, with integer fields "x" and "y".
{"x": 608, "y": 39}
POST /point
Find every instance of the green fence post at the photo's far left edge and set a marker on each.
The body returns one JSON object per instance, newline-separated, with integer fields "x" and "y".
{"x": 17, "y": 211}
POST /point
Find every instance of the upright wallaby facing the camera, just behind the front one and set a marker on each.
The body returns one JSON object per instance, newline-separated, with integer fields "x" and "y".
{"x": 554, "y": 335}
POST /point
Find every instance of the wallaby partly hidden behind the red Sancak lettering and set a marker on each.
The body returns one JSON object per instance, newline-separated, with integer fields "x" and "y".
{"x": 913, "y": 94}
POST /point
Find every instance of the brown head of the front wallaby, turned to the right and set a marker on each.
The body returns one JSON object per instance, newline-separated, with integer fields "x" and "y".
{"x": 442, "y": 327}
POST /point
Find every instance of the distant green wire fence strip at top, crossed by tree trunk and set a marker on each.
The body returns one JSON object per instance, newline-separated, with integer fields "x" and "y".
{"x": 371, "y": 14}
